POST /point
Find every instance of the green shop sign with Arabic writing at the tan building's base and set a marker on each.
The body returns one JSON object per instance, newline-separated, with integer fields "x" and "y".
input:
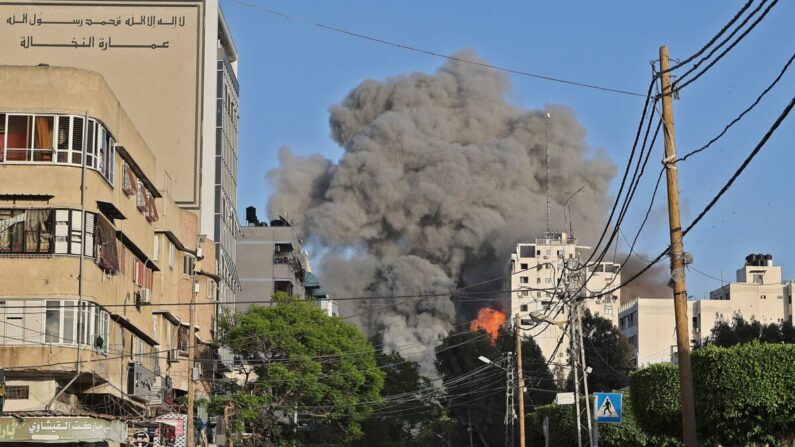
{"x": 61, "y": 429}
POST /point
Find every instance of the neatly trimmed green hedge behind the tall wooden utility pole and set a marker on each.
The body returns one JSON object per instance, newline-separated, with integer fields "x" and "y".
{"x": 745, "y": 395}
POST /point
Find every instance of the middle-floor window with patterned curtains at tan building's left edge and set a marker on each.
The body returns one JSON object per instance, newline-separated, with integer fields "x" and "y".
{"x": 25, "y": 230}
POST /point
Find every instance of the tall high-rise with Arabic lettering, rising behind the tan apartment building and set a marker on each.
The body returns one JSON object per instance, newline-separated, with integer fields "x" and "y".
{"x": 173, "y": 65}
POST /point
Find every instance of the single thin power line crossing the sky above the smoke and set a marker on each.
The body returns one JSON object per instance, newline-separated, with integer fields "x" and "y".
{"x": 431, "y": 53}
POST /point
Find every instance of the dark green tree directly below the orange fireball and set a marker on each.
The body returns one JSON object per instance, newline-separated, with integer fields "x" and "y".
{"x": 475, "y": 392}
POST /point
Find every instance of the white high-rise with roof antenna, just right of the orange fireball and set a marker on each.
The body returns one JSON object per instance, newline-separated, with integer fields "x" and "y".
{"x": 539, "y": 272}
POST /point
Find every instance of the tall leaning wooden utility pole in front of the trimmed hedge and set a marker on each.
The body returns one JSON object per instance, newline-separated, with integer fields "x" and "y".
{"x": 677, "y": 260}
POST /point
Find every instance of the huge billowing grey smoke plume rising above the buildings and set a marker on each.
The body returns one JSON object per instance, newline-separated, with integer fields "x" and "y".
{"x": 440, "y": 177}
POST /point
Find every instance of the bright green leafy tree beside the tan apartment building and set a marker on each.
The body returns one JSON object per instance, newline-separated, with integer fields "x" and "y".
{"x": 296, "y": 358}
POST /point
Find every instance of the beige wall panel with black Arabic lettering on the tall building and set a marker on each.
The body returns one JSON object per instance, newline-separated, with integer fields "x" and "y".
{"x": 150, "y": 52}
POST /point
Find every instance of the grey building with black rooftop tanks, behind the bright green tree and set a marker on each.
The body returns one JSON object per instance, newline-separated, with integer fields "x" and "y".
{"x": 271, "y": 259}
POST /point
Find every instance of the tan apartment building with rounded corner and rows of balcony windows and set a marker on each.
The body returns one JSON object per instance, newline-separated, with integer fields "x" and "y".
{"x": 97, "y": 265}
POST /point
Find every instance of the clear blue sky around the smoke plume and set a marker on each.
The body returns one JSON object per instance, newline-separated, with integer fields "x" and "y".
{"x": 291, "y": 72}
